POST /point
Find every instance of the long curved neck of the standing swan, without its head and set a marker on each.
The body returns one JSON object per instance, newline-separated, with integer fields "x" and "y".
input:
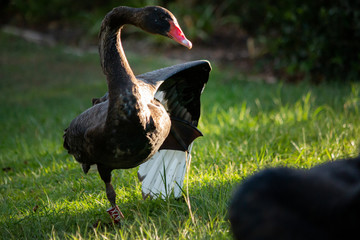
{"x": 120, "y": 77}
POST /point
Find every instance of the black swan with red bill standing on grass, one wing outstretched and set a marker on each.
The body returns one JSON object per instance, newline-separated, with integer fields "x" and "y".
{"x": 152, "y": 116}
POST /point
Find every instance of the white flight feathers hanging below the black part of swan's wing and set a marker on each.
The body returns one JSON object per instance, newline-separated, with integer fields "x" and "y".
{"x": 163, "y": 174}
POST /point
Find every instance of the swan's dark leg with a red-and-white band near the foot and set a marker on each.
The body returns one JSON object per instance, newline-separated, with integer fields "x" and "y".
{"x": 105, "y": 174}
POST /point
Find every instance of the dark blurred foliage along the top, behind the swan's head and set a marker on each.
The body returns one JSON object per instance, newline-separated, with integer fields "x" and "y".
{"x": 319, "y": 40}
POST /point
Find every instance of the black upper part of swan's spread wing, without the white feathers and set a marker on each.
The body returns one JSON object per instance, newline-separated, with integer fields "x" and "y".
{"x": 179, "y": 88}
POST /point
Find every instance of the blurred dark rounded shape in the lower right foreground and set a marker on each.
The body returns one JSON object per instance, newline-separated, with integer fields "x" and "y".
{"x": 283, "y": 203}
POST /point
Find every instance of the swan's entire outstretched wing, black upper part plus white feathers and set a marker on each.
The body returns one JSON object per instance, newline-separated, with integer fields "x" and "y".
{"x": 178, "y": 88}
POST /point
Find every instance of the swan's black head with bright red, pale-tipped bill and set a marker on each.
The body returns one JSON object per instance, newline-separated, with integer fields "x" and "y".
{"x": 158, "y": 20}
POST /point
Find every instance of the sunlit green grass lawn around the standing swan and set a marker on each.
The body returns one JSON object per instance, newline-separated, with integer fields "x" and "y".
{"x": 247, "y": 126}
